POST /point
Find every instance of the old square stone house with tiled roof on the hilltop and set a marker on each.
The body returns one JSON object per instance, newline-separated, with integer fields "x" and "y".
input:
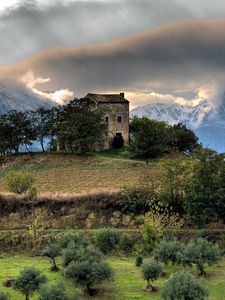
{"x": 115, "y": 110}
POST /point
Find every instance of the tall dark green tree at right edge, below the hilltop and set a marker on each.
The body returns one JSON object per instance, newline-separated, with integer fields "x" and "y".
{"x": 202, "y": 194}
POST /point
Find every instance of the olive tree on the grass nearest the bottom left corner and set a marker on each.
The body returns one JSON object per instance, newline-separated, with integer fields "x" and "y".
{"x": 29, "y": 280}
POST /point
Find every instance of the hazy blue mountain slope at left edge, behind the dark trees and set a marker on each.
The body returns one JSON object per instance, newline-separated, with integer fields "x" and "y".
{"x": 19, "y": 98}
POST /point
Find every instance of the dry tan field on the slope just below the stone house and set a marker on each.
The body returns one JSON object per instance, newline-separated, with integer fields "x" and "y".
{"x": 57, "y": 173}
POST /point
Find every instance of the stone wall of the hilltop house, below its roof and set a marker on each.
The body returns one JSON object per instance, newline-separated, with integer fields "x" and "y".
{"x": 112, "y": 111}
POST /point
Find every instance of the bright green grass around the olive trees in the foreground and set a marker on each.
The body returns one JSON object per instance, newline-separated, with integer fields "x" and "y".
{"x": 127, "y": 284}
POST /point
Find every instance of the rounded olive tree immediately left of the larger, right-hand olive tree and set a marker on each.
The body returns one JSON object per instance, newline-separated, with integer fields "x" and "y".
{"x": 168, "y": 251}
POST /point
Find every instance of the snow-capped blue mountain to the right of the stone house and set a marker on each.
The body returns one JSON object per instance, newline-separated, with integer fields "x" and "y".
{"x": 207, "y": 121}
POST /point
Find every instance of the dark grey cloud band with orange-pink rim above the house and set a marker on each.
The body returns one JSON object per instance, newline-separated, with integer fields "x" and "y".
{"x": 181, "y": 56}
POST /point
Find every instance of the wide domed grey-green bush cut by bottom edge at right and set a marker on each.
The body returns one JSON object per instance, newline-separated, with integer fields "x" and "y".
{"x": 182, "y": 285}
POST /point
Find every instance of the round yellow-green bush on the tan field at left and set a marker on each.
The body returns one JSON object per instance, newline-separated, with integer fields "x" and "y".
{"x": 20, "y": 182}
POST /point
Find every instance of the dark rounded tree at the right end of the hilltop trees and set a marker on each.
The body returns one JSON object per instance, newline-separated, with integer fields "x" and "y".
{"x": 182, "y": 139}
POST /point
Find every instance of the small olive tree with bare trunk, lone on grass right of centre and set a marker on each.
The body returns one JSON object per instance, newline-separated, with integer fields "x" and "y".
{"x": 151, "y": 271}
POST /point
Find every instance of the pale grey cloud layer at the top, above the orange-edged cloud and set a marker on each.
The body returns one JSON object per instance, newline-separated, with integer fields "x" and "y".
{"x": 31, "y": 25}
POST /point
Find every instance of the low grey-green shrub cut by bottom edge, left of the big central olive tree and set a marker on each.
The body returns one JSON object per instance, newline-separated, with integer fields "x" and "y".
{"x": 56, "y": 292}
